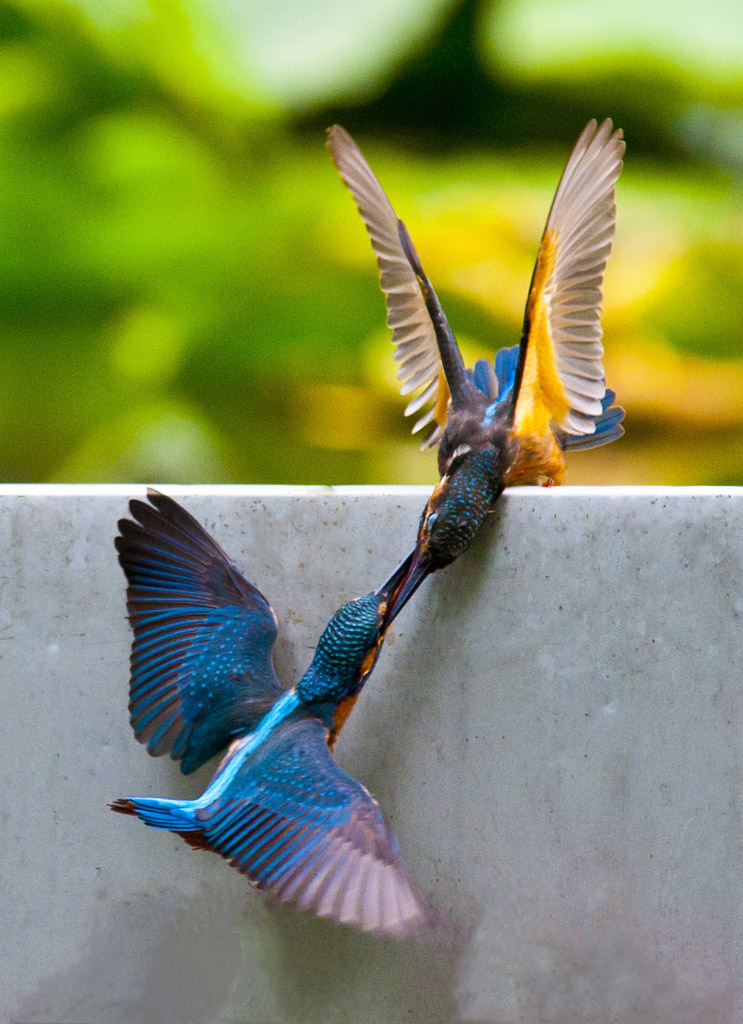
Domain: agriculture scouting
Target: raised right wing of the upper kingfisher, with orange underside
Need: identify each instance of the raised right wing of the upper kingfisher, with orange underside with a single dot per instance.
(560, 374)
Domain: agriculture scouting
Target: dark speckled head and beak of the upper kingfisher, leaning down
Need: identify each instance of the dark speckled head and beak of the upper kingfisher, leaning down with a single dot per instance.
(453, 517)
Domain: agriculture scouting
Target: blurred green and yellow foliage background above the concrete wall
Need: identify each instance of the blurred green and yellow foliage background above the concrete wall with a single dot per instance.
(187, 293)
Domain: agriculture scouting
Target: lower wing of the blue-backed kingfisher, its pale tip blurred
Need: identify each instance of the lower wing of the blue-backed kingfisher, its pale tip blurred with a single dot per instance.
(309, 833)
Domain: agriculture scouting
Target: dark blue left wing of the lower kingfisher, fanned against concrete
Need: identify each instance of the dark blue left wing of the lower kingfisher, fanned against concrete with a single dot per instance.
(201, 662)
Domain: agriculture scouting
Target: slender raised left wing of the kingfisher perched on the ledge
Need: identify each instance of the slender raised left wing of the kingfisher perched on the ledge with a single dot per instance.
(414, 334)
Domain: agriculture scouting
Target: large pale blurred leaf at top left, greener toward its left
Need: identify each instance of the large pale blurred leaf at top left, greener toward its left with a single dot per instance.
(282, 53)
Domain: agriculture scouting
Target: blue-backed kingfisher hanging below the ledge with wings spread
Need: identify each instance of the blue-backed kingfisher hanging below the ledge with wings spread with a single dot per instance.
(279, 808)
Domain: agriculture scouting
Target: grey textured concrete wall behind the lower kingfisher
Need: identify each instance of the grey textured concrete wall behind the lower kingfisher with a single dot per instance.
(554, 730)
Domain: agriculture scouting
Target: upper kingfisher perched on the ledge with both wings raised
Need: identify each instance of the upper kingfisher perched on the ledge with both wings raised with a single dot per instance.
(508, 423)
